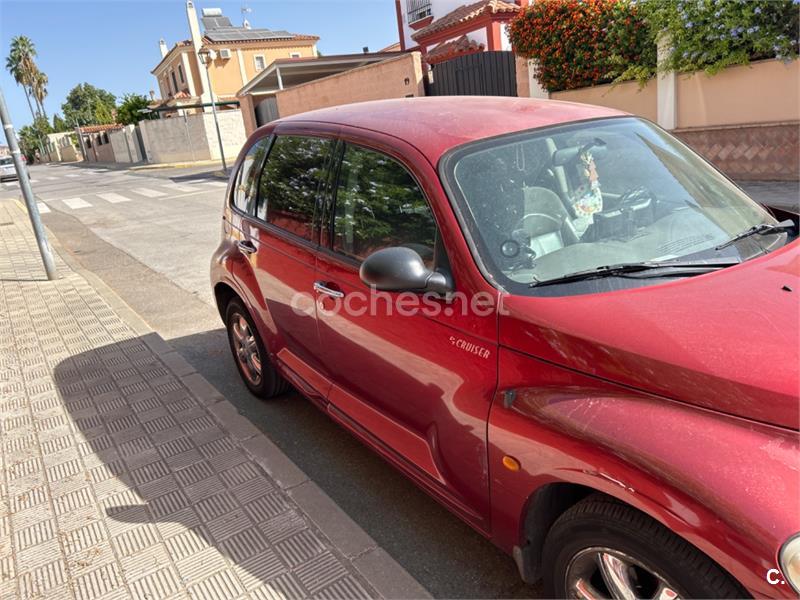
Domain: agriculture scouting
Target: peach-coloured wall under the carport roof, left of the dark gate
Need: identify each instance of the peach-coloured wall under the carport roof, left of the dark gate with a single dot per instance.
(393, 78)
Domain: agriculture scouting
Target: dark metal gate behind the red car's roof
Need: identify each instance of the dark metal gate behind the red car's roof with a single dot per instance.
(480, 74)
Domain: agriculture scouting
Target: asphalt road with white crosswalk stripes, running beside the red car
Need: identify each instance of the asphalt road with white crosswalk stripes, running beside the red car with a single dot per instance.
(149, 235)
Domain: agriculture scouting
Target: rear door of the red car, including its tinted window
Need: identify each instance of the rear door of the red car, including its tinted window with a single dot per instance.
(282, 239)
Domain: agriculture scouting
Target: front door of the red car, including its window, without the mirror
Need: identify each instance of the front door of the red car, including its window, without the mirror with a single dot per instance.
(416, 383)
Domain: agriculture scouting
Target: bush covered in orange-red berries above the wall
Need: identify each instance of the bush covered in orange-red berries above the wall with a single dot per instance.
(577, 43)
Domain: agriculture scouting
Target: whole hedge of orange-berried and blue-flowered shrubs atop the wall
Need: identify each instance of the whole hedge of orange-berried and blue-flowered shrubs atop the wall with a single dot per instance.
(578, 43)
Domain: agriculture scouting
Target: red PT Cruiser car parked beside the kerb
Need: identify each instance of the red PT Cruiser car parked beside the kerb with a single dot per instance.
(555, 318)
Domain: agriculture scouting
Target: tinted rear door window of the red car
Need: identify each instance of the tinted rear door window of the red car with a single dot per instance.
(290, 181)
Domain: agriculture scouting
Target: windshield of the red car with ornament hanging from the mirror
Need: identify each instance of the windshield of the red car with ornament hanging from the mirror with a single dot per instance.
(546, 203)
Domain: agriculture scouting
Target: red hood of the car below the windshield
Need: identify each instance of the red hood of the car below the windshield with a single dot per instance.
(726, 341)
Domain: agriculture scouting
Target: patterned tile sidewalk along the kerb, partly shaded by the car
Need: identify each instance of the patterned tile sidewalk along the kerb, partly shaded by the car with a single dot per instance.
(125, 474)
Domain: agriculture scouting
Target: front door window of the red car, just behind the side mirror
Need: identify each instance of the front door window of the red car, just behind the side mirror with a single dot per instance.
(378, 204)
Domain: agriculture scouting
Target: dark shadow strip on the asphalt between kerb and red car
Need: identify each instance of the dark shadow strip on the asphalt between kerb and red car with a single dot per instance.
(444, 554)
